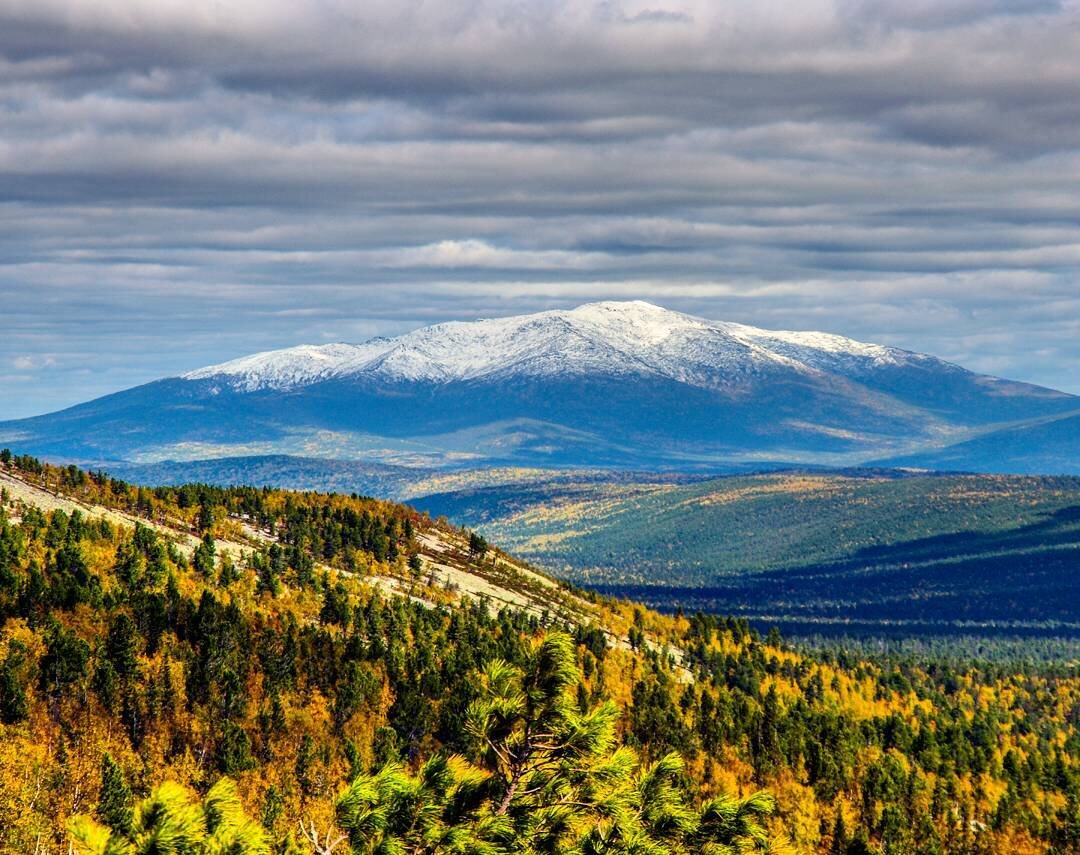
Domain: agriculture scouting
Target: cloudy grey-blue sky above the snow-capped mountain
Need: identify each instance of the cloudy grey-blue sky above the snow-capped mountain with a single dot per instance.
(184, 182)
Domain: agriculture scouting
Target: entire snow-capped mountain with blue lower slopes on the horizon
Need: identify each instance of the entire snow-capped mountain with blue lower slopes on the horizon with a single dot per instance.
(609, 384)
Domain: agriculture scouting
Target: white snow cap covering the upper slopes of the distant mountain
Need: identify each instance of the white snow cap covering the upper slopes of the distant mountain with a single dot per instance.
(609, 337)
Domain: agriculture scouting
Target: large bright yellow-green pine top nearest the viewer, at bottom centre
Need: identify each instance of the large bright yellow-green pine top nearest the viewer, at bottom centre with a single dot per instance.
(543, 777)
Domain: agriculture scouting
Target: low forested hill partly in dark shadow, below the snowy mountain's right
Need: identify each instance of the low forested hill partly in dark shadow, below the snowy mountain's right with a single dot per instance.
(874, 552)
